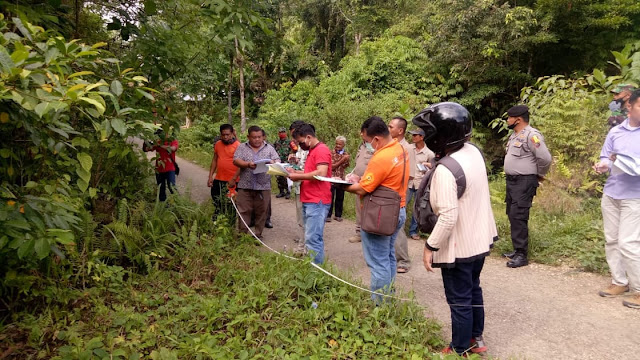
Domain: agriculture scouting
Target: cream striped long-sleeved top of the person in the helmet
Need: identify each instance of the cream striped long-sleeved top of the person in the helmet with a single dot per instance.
(466, 228)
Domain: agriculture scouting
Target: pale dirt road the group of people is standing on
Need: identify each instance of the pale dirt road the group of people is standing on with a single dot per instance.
(535, 312)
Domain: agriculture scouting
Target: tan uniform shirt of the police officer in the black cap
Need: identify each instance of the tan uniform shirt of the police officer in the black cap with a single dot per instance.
(527, 154)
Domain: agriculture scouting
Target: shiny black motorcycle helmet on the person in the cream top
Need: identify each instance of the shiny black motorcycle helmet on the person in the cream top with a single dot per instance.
(447, 126)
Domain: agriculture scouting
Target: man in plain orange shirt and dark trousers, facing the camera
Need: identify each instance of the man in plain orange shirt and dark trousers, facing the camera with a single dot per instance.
(224, 170)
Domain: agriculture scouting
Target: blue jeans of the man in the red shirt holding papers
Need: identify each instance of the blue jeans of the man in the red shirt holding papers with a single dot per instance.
(313, 216)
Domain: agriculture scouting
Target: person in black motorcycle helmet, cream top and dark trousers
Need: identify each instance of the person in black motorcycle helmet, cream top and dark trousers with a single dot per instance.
(465, 230)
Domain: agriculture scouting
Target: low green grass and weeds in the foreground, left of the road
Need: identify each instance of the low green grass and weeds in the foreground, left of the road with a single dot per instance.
(220, 298)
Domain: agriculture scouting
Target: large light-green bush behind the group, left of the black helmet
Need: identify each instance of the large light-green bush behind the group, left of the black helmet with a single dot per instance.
(391, 75)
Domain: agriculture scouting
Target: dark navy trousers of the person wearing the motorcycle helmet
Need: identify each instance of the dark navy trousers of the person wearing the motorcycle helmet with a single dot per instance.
(462, 290)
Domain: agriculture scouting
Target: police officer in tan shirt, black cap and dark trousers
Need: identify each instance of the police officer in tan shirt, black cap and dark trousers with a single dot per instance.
(526, 163)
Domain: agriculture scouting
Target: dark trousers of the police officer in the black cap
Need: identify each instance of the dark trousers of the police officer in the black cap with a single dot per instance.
(520, 192)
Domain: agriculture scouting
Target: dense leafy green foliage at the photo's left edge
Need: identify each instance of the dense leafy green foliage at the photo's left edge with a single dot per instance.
(66, 115)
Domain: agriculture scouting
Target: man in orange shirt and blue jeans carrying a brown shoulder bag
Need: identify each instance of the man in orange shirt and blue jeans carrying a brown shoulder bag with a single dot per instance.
(387, 167)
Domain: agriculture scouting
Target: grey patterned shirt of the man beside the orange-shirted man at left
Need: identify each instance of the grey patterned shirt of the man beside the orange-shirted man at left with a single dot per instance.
(249, 180)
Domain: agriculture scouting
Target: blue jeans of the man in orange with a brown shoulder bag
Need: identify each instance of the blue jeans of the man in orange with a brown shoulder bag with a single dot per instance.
(380, 255)
